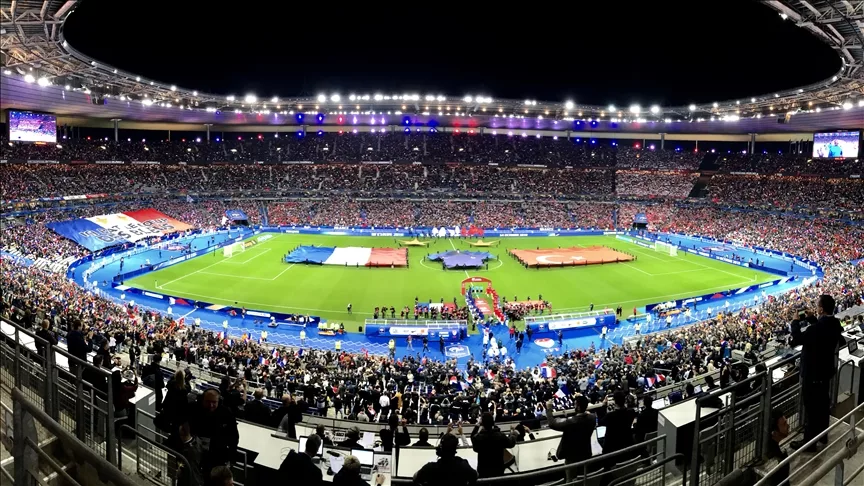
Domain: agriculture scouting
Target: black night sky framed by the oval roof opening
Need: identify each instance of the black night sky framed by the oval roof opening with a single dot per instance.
(665, 52)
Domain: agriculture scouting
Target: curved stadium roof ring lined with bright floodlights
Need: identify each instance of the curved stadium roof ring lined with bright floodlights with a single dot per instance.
(32, 49)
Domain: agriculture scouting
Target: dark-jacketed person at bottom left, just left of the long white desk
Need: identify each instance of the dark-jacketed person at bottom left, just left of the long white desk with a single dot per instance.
(216, 426)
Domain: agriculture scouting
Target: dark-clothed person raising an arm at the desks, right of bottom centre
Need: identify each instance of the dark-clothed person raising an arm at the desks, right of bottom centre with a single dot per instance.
(577, 431)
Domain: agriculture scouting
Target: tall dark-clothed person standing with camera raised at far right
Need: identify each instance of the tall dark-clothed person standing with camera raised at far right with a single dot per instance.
(820, 337)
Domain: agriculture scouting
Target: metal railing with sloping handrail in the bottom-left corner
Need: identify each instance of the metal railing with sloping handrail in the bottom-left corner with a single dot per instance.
(29, 456)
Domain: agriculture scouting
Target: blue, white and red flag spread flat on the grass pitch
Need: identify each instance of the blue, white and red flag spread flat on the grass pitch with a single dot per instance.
(351, 256)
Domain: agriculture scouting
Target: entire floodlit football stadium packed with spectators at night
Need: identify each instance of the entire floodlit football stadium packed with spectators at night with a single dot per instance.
(352, 287)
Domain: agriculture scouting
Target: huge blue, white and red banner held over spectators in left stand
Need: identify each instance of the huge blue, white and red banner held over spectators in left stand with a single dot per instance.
(107, 230)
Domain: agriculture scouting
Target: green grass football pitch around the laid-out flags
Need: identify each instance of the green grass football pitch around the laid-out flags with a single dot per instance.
(258, 278)
